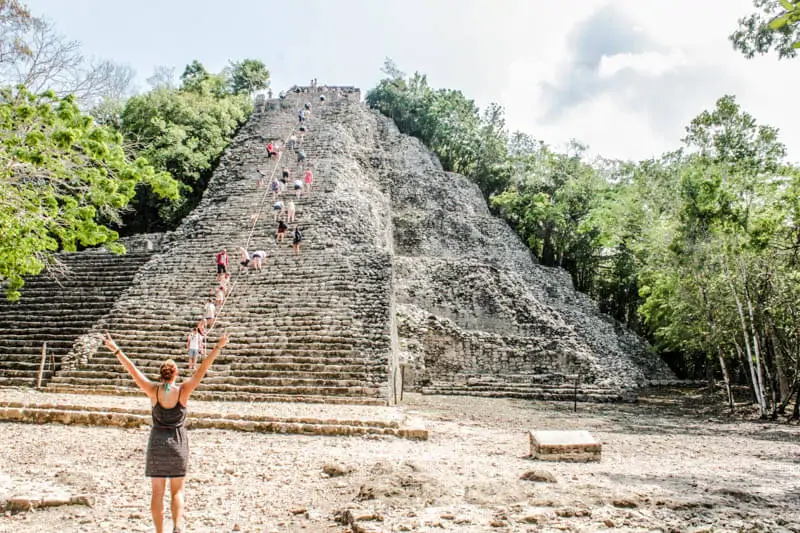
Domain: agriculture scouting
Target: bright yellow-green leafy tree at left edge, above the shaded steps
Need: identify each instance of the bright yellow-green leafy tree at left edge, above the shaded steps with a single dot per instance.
(64, 179)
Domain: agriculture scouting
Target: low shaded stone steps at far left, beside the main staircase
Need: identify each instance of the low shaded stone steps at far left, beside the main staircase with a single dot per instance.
(57, 310)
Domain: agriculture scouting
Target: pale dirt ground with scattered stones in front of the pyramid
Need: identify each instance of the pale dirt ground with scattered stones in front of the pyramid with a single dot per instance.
(669, 464)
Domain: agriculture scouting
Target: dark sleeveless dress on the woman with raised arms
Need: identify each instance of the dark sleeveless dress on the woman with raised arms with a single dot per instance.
(168, 447)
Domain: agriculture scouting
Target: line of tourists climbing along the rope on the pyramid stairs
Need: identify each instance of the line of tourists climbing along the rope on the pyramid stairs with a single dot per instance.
(283, 214)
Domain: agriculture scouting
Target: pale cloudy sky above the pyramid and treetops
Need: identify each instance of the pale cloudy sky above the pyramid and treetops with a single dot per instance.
(622, 76)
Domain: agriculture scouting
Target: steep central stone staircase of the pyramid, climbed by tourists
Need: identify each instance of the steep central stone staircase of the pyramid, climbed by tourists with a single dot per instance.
(308, 328)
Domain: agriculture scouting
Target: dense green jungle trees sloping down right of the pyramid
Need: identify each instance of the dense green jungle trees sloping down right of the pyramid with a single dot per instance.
(698, 250)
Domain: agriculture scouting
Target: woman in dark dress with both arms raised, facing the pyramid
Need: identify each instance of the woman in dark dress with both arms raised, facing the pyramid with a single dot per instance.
(167, 455)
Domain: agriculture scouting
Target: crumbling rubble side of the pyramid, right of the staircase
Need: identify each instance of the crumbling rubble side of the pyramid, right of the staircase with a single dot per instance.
(470, 298)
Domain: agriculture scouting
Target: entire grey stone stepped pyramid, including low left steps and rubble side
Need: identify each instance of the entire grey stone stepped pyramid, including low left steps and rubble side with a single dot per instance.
(405, 280)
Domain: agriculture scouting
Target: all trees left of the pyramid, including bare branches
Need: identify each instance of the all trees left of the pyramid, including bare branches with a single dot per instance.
(83, 160)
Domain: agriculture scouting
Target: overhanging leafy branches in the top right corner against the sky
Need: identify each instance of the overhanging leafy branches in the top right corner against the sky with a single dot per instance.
(773, 27)
